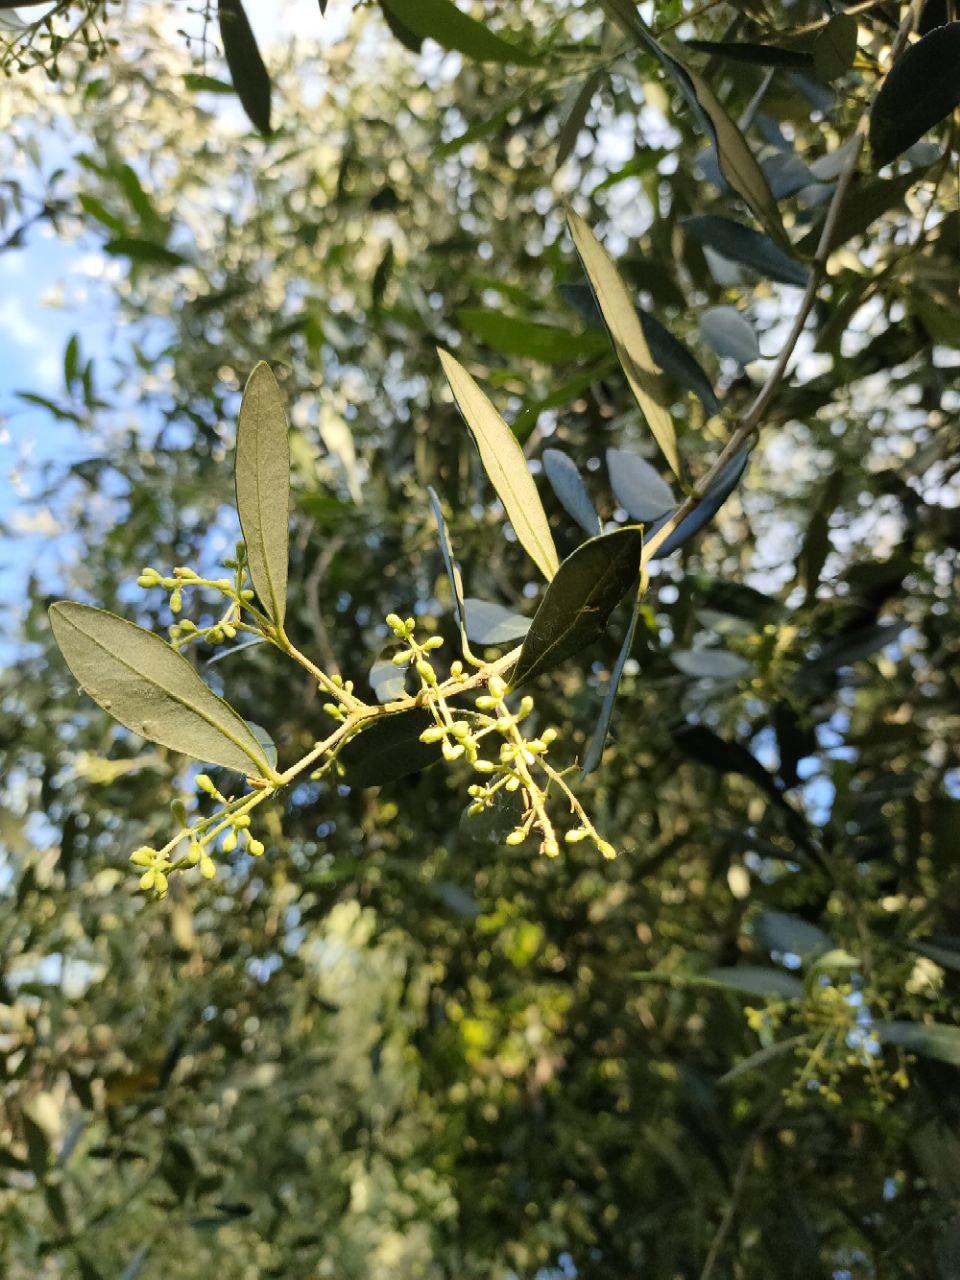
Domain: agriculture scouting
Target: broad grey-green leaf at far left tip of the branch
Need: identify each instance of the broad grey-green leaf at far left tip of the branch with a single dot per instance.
(152, 689)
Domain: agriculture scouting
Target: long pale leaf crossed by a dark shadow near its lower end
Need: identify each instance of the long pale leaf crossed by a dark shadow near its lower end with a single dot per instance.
(628, 336)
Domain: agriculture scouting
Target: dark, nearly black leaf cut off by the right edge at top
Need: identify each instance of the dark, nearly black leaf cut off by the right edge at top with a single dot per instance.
(921, 90)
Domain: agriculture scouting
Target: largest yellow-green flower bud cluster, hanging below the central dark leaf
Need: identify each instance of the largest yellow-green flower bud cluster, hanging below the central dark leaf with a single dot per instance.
(520, 766)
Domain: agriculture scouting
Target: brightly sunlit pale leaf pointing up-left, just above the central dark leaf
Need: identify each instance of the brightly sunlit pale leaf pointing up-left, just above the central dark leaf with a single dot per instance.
(505, 465)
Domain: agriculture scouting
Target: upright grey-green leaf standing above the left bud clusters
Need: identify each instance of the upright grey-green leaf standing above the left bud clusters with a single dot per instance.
(263, 474)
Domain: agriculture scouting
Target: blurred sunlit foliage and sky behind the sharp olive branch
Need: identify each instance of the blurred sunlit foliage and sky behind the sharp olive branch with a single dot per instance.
(395, 1046)
